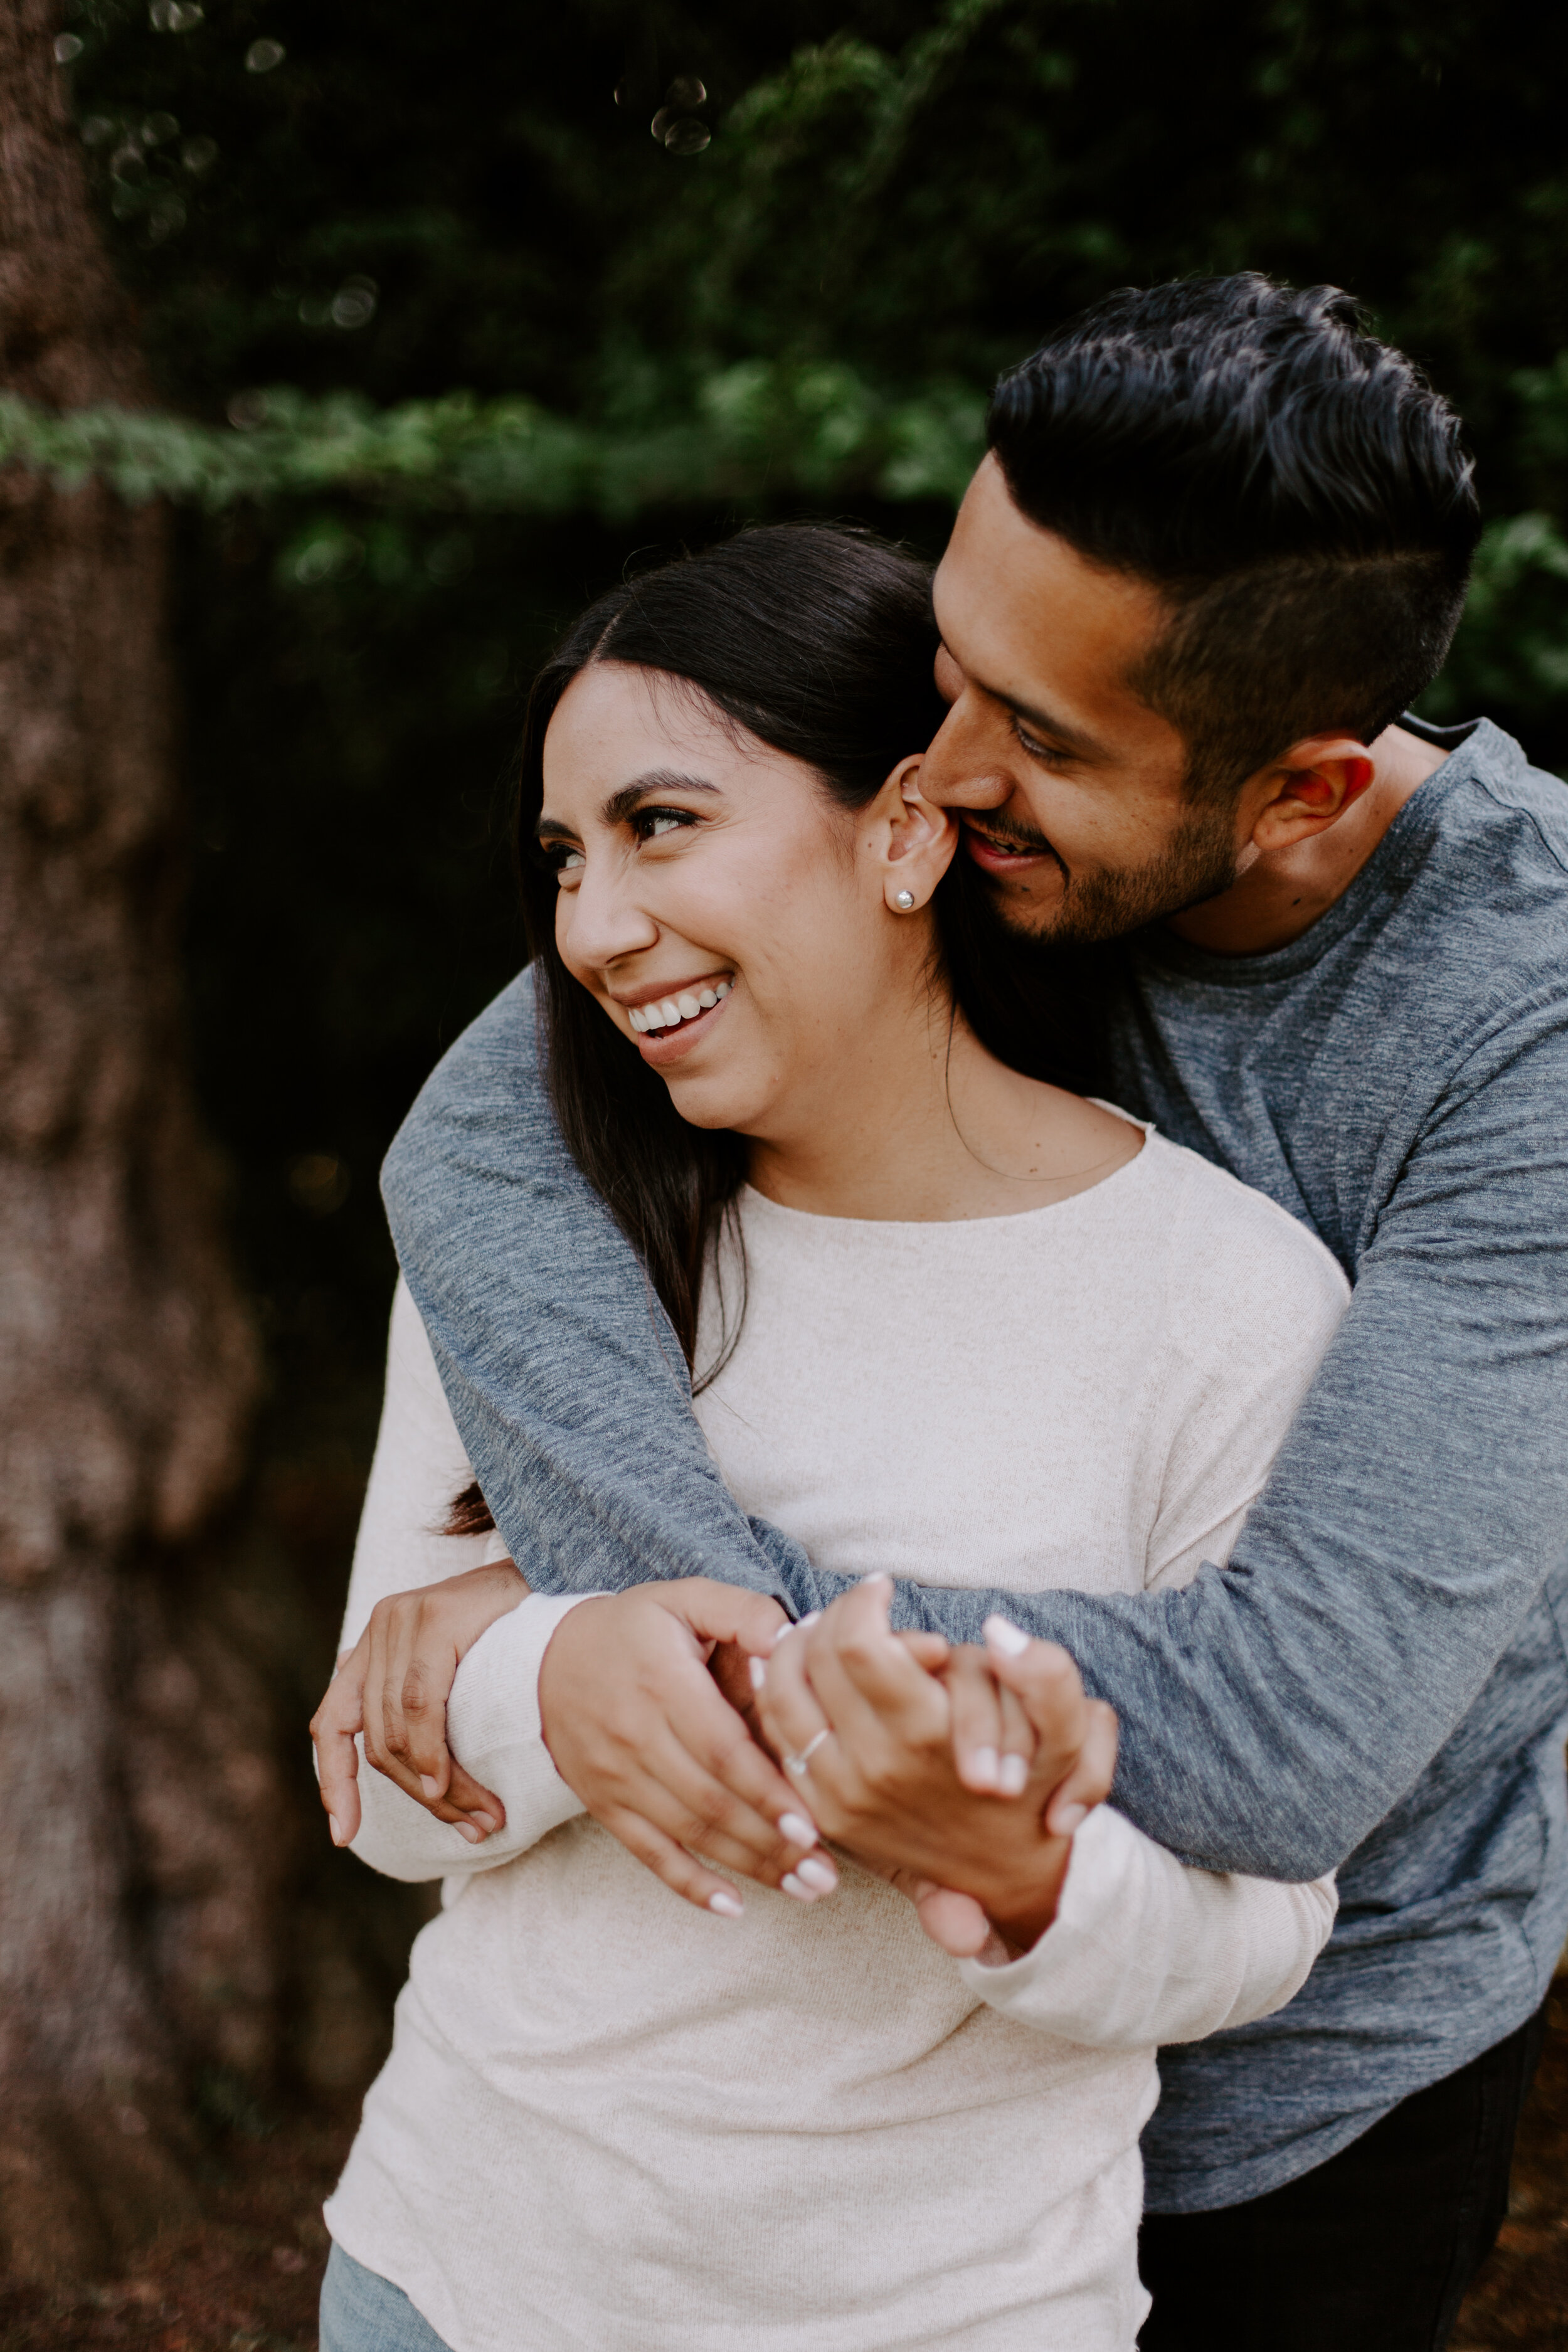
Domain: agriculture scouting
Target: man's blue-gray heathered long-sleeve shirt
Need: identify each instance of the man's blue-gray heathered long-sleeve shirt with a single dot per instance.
(1379, 1678)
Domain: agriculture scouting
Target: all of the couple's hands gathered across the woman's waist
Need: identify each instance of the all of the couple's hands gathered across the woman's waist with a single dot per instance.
(671, 1711)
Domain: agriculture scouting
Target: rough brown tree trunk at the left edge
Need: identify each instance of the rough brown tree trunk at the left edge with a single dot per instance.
(133, 1735)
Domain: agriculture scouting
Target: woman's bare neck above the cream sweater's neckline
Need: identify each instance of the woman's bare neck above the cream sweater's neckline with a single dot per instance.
(916, 1123)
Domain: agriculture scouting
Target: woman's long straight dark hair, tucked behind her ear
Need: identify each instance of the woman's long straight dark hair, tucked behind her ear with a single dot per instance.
(822, 643)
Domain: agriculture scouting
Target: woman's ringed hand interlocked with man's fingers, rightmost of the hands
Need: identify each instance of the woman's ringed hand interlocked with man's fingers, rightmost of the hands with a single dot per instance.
(869, 1735)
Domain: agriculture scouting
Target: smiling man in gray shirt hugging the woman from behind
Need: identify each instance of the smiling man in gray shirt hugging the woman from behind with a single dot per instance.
(1217, 547)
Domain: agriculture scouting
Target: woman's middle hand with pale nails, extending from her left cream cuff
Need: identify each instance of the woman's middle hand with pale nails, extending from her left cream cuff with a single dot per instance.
(641, 1732)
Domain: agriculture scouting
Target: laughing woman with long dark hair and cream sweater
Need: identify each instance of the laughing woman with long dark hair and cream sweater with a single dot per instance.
(793, 2120)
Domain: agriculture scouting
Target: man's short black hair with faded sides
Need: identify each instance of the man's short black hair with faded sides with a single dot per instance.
(1294, 488)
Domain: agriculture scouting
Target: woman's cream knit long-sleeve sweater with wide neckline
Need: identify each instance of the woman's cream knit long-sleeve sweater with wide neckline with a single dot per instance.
(617, 2123)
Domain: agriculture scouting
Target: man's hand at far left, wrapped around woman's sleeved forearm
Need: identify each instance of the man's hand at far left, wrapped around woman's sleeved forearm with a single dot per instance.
(394, 1688)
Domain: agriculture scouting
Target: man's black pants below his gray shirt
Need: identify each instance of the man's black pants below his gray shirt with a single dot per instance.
(1374, 2250)
